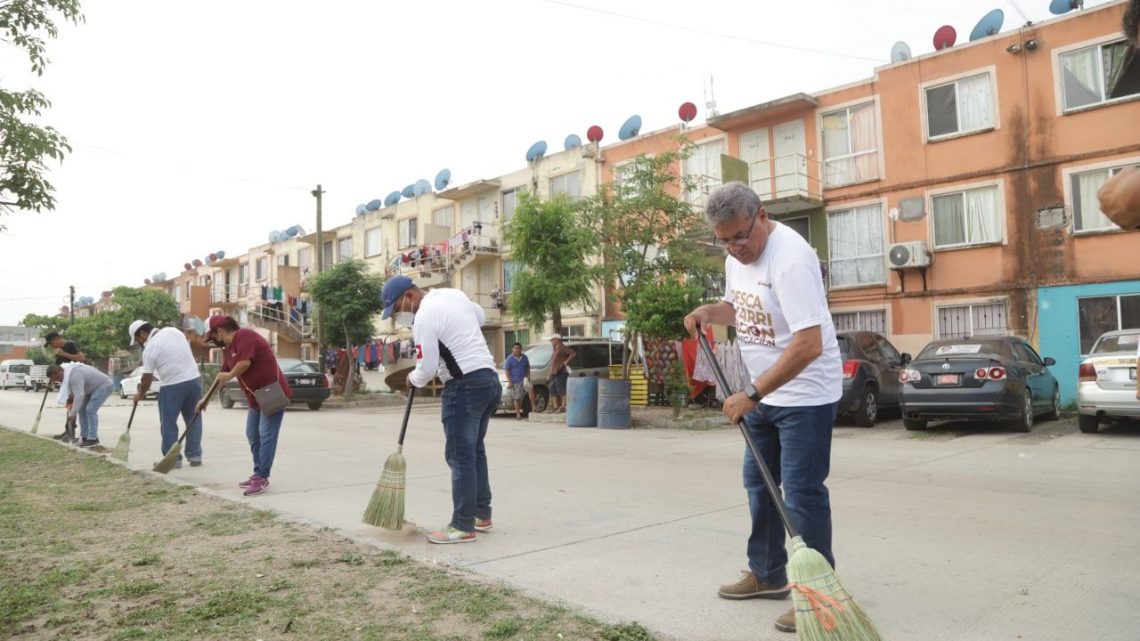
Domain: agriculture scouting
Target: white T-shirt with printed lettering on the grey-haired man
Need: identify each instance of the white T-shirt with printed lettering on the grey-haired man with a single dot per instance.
(777, 296)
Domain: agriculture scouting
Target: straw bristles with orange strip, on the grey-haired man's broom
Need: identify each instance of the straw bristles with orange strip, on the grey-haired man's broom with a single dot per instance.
(825, 610)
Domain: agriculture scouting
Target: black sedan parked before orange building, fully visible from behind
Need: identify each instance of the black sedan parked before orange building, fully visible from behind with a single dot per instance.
(979, 379)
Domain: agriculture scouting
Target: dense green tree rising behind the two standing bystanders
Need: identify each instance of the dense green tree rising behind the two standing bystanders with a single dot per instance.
(550, 244)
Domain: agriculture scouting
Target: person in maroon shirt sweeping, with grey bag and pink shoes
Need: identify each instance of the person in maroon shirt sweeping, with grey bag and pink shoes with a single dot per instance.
(249, 359)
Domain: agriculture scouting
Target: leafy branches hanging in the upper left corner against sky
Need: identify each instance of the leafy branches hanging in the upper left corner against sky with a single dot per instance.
(25, 145)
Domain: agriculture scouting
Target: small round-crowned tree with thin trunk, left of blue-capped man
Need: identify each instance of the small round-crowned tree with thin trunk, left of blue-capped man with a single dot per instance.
(349, 297)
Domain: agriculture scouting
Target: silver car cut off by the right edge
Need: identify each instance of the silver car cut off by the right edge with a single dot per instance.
(1108, 382)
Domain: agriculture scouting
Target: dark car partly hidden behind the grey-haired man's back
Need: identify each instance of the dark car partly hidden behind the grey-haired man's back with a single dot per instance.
(872, 368)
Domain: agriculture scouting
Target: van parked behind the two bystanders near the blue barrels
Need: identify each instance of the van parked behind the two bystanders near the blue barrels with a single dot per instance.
(593, 359)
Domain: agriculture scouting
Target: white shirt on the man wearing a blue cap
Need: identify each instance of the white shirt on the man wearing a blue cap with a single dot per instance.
(447, 318)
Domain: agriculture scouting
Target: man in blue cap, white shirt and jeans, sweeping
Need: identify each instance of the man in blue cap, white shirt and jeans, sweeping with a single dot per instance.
(446, 328)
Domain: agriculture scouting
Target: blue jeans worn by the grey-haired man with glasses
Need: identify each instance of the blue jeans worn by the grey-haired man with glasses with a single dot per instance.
(796, 445)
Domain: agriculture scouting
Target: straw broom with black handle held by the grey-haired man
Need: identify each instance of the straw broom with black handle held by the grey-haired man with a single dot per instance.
(825, 610)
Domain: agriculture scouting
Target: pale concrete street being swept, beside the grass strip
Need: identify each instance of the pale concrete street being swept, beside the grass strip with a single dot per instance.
(962, 534)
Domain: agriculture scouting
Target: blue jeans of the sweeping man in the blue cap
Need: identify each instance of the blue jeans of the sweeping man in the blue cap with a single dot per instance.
(468, 407)
